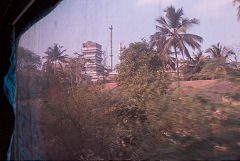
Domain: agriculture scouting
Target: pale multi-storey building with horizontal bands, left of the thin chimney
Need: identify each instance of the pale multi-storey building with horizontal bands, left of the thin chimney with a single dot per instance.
(93, 53)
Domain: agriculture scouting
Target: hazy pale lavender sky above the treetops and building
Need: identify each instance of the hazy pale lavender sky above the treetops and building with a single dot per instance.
(73, 22)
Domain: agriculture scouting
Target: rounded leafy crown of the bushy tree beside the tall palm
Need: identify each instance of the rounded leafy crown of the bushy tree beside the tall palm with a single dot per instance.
(139, 72)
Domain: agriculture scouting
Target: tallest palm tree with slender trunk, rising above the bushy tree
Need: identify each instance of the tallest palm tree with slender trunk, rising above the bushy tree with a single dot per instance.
(172, 35)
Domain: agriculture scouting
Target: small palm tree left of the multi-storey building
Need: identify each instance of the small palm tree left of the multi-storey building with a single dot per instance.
(55, 55)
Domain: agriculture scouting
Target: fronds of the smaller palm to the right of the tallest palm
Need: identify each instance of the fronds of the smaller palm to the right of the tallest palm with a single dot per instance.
(218, 51)
